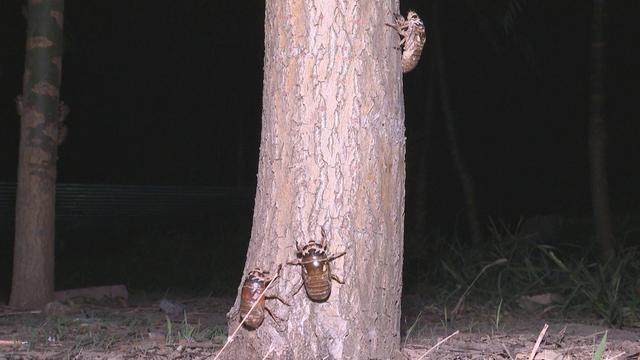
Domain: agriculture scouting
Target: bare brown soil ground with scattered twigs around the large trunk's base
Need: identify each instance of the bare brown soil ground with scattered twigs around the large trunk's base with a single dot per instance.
(141, 330)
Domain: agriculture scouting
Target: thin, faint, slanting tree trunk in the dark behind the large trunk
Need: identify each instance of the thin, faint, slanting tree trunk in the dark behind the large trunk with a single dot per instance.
(466, 180)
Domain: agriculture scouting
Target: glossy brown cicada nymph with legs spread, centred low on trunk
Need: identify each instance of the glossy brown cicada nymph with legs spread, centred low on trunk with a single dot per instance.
(316, 270)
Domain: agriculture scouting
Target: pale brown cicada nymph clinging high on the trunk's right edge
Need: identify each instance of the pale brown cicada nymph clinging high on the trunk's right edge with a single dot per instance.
(413, 36)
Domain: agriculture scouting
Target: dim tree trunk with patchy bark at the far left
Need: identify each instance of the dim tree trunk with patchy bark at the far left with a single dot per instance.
(40, 133)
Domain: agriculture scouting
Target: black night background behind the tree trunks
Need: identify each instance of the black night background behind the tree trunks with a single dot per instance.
(169, 93)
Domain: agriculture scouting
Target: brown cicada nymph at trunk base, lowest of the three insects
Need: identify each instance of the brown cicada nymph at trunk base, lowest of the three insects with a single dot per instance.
(254, 285)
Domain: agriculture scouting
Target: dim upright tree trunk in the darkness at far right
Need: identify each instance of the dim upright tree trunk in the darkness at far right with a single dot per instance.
(598, 134)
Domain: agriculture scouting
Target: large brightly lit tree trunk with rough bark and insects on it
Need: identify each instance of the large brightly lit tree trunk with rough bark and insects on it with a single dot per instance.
(331, 158)
